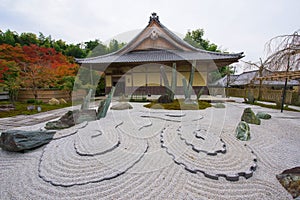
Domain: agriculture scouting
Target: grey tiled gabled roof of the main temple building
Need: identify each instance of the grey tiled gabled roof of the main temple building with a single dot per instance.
(156, 43)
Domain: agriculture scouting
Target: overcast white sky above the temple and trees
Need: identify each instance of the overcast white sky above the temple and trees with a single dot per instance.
(235, 25)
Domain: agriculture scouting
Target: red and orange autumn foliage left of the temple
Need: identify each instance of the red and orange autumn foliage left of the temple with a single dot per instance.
(37, 67)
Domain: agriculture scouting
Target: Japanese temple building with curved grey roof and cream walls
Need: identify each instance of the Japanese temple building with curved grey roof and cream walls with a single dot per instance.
(136, 67)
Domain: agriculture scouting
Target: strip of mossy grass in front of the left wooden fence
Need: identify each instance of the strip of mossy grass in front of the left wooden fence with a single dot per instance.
(21, 108)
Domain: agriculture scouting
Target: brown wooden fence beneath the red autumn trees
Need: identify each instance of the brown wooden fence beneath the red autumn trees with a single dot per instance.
(46, 94)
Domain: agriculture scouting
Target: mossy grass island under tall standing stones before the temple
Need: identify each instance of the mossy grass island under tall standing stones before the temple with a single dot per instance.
(178, 104)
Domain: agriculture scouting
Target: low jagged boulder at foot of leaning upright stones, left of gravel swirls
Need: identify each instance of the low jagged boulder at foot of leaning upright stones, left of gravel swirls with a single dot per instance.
(71, 118)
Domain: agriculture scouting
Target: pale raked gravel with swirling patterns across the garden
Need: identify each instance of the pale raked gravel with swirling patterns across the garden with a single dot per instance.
(157, 154)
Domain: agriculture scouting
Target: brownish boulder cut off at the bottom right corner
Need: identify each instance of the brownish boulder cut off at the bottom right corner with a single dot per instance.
(290, 180)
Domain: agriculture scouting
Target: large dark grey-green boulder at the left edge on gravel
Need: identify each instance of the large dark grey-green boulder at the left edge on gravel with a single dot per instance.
(19, 140)
